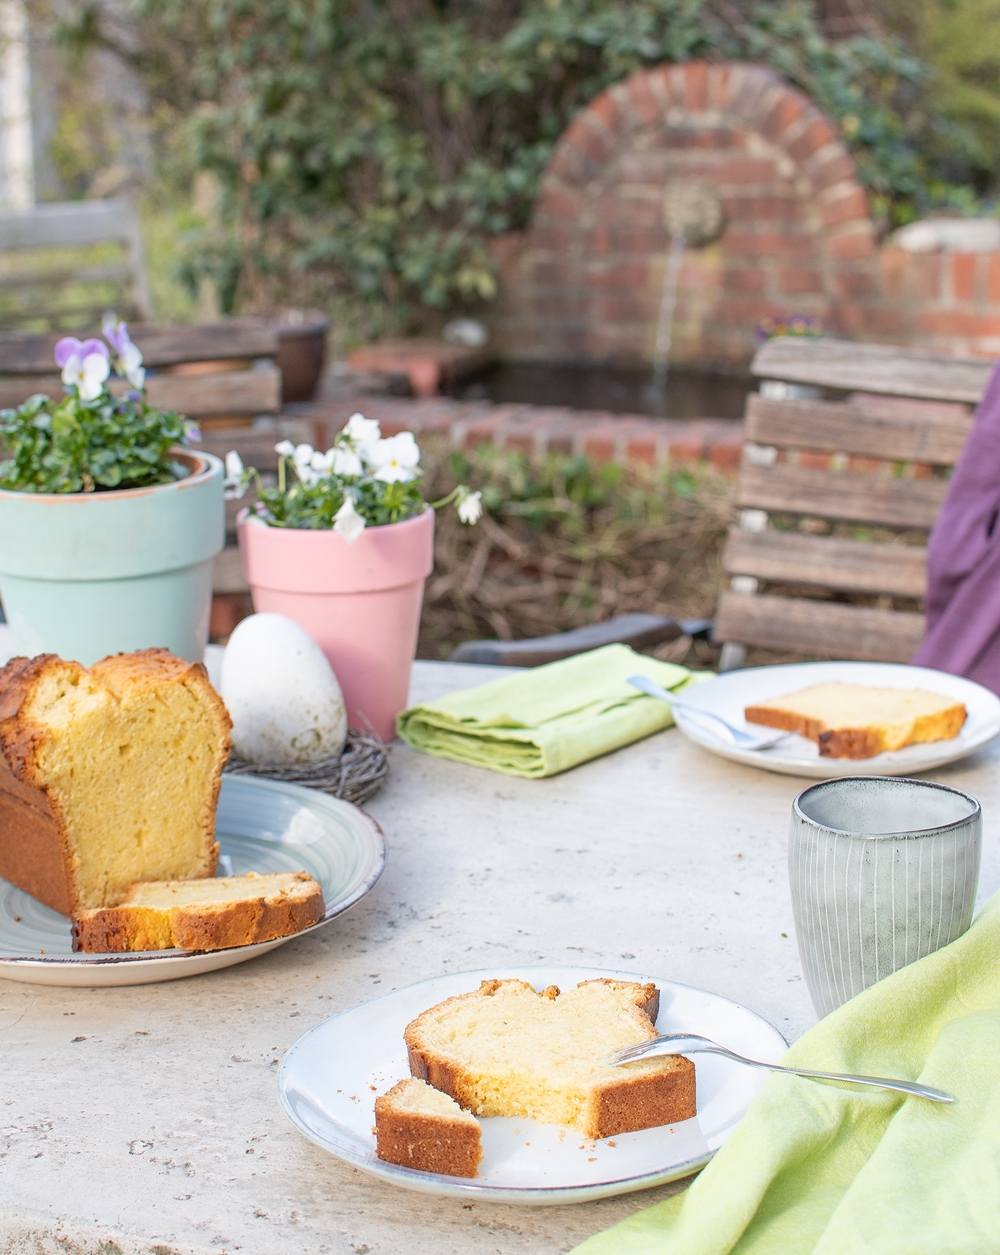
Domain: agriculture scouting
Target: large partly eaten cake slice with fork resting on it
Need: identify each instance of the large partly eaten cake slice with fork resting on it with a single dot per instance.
(509, 1051)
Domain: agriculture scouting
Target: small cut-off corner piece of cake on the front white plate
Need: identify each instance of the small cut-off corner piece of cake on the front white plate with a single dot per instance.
(421, 1128)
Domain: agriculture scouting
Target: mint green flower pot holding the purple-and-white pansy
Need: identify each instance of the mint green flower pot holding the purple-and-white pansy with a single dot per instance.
(86, 575)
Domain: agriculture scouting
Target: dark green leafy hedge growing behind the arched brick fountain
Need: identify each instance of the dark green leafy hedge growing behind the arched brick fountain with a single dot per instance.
(377, 146)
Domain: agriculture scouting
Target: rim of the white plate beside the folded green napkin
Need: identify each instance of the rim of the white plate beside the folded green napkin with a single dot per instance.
(827, 769)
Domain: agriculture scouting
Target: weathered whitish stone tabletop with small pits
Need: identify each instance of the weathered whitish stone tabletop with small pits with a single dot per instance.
(146, 1120)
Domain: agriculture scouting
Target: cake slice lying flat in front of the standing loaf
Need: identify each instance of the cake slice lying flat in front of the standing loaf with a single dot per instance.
(211, 914)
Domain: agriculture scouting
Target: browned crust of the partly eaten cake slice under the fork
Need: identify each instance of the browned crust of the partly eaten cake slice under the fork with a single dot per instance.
(624, 1104)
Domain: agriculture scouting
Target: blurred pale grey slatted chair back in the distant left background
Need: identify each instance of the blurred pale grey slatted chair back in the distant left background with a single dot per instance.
(62, 265)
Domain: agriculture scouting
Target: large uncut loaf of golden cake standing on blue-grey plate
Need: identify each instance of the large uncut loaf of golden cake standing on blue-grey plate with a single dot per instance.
(109, 775)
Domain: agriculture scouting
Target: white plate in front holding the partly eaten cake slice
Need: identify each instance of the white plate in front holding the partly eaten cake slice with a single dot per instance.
(329, 1081)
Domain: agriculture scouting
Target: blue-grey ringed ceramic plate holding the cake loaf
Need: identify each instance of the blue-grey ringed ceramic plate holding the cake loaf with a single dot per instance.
(260, 826)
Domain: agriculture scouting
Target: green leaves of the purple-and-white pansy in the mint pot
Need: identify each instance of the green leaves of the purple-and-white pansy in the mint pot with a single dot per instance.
(76, 446)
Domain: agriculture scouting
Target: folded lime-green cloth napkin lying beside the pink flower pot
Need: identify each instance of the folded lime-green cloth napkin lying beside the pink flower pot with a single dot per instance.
(545, 720)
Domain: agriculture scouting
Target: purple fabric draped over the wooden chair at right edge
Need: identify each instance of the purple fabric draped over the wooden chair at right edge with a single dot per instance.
(963, 603)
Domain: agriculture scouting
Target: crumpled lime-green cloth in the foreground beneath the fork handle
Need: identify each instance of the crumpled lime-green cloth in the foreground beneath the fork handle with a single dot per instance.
(838, 1172)
